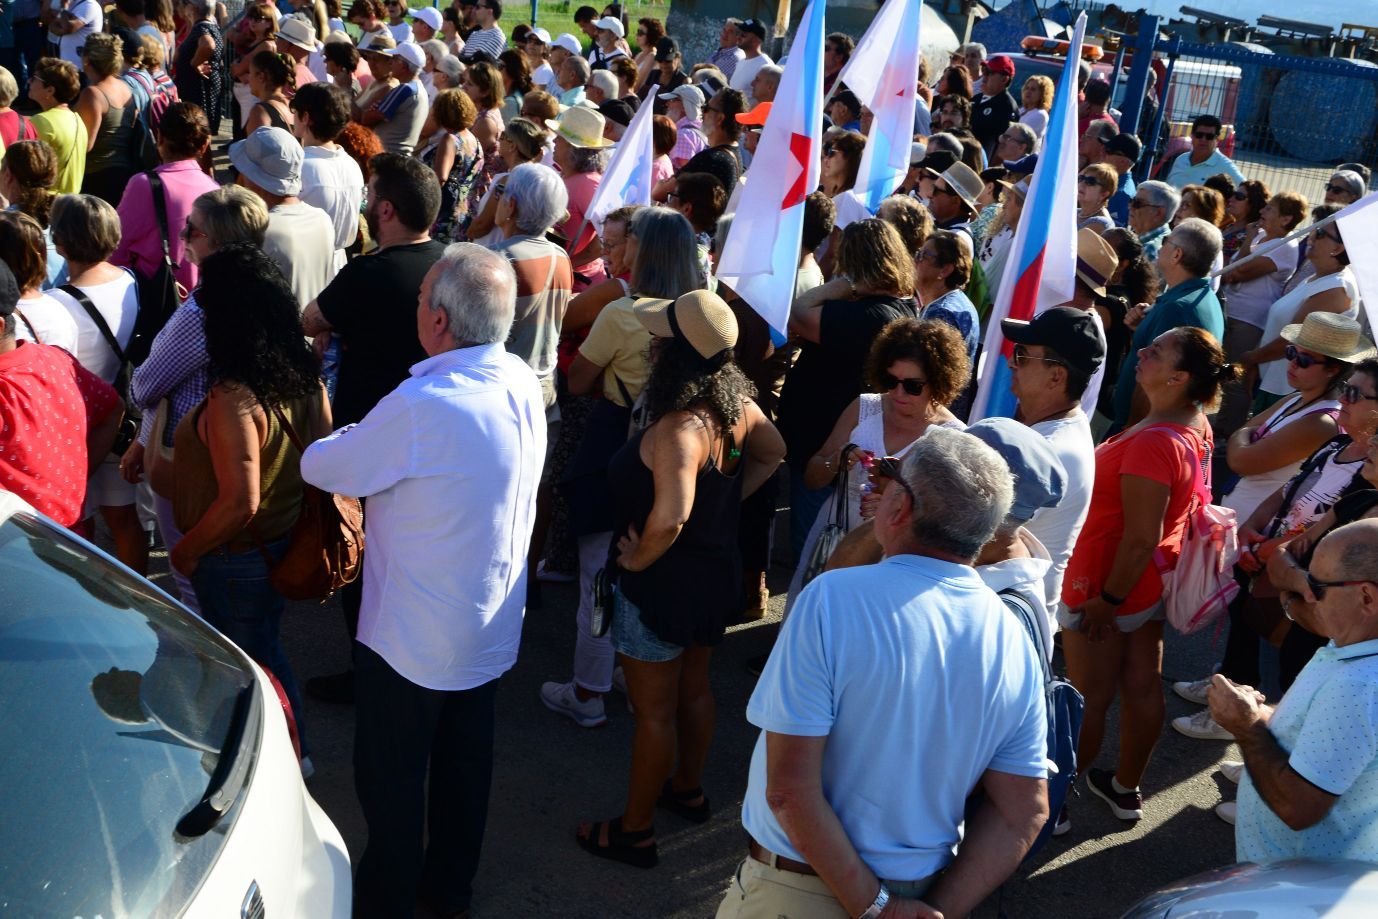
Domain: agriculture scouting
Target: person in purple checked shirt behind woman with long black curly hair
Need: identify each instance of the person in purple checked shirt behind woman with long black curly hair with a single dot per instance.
(177, 369)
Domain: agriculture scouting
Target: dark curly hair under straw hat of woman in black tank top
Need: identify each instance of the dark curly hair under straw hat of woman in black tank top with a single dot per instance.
(681, 378)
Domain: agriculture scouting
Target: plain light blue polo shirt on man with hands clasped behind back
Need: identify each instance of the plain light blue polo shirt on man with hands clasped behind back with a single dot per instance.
(921, 680)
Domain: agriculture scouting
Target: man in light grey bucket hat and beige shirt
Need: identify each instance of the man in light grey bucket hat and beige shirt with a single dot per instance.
(301, 239)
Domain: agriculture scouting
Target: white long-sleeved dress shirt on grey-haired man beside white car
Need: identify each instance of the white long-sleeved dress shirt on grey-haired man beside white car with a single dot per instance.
(450, 464)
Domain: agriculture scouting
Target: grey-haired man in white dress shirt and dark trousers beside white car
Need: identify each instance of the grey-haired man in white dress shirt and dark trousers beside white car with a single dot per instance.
(450, 464)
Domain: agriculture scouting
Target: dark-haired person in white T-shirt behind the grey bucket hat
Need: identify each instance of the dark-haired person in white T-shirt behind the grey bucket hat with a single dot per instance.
(331, 180)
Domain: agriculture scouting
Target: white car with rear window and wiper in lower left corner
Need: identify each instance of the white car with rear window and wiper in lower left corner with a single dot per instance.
(148, 770)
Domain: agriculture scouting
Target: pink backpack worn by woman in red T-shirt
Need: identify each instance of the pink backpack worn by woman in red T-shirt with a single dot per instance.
(1200, 589)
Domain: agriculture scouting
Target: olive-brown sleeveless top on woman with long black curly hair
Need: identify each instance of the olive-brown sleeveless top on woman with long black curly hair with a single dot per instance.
(280, 475)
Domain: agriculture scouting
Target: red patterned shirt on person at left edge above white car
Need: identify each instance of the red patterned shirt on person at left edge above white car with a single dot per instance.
(48, 406)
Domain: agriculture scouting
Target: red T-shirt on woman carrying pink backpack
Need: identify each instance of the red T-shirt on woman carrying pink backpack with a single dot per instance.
(1153, 454)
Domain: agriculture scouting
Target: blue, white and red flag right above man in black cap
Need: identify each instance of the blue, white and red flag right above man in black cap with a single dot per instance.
(1041, 272)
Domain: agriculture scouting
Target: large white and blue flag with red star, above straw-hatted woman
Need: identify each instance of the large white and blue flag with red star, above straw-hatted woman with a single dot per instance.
(763, 250)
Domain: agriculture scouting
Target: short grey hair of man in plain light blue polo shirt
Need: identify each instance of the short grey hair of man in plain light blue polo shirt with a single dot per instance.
(963, 488)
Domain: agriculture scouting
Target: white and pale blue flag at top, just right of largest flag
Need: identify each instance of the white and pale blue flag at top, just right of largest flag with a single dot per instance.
(883, 74)
